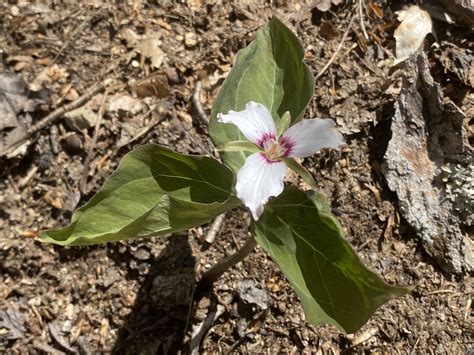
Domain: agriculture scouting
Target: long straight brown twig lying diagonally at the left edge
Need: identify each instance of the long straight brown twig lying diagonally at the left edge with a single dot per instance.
(54, 116)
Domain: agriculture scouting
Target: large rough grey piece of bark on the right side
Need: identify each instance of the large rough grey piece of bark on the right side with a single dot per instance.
(428, 139)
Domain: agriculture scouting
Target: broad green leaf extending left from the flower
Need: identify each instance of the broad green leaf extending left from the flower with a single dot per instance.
(153, 191)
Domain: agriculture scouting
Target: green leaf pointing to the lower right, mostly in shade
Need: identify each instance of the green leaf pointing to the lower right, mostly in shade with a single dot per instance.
(307, 242)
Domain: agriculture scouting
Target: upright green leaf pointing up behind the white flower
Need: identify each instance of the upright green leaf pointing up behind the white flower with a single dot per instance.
(270, 71)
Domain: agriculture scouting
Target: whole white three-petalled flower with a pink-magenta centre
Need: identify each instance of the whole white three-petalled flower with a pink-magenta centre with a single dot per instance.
(262, 174)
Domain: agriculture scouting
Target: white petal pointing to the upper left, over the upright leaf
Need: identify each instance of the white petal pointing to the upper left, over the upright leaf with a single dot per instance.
(255, 122)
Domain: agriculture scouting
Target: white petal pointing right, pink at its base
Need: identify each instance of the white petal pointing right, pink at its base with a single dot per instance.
(308, 136)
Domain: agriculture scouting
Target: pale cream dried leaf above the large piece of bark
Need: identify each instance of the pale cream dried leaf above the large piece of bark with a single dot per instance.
(410, 34)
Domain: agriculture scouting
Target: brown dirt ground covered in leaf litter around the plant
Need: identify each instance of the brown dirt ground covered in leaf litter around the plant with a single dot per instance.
(137, 296)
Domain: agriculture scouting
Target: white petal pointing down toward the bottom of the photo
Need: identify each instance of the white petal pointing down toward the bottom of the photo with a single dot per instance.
(257, 180)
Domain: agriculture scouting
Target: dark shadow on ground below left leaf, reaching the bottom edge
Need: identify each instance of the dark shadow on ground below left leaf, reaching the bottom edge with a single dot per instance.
(158, 319)
